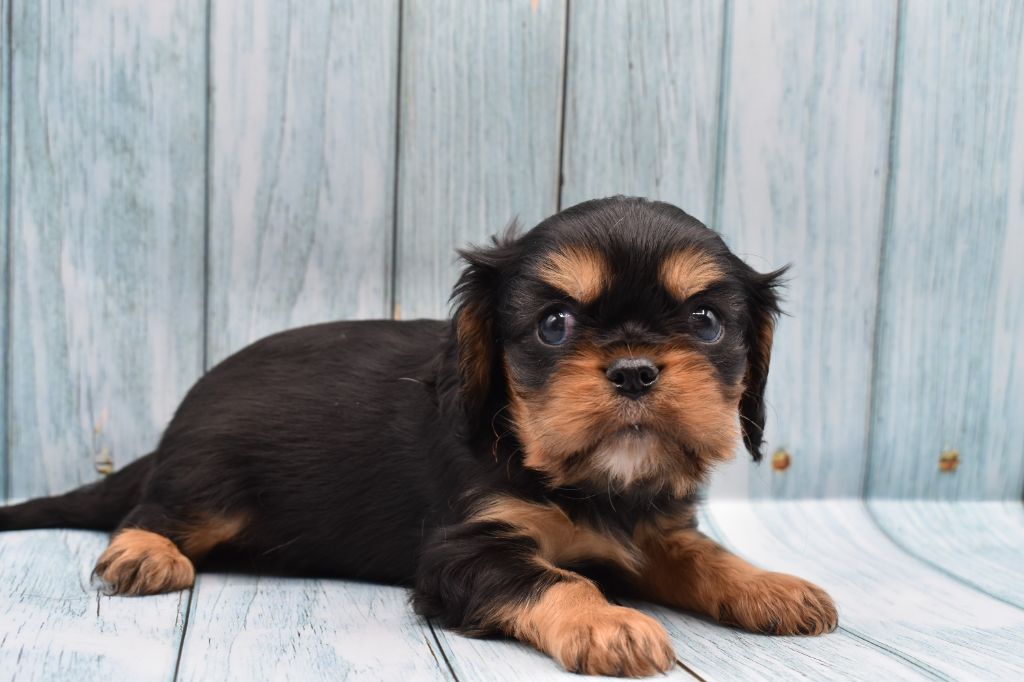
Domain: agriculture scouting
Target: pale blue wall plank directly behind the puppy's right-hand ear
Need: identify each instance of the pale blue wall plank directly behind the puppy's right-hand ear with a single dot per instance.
(806, 150)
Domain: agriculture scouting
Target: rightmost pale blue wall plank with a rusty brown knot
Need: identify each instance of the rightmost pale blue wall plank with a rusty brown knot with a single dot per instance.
(951, 365)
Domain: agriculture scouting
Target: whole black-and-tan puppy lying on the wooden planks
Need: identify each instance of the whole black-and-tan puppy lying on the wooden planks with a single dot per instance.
(545, 445)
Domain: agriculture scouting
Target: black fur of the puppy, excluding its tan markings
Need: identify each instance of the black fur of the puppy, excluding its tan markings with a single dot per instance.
(360, 449)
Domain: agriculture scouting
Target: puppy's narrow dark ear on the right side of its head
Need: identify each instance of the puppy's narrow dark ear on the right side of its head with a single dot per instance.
(763, 303)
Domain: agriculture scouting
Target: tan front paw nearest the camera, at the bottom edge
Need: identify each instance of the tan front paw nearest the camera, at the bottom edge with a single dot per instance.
(613, 641)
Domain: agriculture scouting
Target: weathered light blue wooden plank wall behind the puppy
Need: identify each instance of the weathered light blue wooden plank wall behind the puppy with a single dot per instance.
(187, 179)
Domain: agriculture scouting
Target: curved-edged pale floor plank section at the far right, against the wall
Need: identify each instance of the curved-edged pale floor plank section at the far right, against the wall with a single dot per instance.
(980, 543)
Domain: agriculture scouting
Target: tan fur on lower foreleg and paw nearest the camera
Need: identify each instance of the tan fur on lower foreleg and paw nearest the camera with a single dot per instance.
(577, 626)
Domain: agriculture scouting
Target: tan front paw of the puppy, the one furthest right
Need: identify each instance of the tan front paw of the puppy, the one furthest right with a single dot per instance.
(780, 605)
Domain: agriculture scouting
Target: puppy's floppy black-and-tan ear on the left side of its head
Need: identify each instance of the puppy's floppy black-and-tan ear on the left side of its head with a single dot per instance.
(476, 323)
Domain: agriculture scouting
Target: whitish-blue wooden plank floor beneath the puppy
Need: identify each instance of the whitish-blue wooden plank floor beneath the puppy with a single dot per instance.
(925, 591)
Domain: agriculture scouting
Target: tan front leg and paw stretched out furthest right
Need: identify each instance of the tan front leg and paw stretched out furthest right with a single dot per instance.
(688, 570)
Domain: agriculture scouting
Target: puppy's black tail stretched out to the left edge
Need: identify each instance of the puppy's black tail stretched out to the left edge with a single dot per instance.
(100, 506)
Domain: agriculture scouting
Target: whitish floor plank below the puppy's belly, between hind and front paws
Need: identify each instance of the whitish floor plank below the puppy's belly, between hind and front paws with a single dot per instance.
(248, 628)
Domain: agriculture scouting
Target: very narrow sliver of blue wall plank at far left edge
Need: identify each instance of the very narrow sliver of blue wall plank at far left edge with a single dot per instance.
(6, 54)
